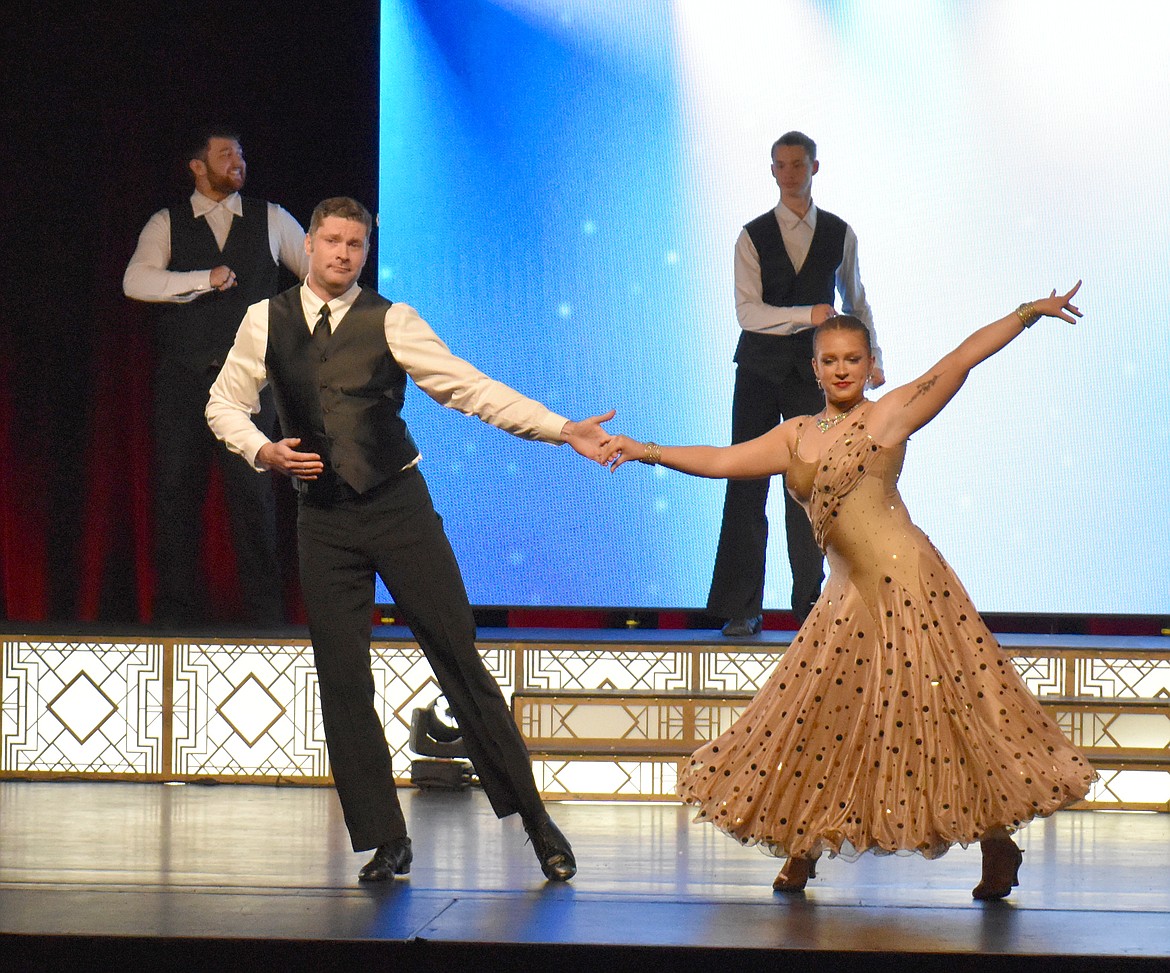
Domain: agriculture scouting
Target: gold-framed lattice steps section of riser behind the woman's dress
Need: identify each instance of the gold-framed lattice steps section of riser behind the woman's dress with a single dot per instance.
(627, 719)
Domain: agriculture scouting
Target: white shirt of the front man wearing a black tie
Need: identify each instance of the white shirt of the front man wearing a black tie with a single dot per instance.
(422, 354)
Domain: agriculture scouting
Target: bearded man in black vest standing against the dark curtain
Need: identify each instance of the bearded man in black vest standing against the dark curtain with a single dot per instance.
(204, 261)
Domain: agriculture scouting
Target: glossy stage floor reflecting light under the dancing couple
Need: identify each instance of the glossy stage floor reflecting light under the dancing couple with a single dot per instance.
(235, 862)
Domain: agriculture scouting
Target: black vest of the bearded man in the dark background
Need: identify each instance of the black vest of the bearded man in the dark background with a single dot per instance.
(199, 335)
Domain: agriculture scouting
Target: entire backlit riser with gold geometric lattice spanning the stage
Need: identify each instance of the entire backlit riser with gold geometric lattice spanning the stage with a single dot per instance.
(604, 719)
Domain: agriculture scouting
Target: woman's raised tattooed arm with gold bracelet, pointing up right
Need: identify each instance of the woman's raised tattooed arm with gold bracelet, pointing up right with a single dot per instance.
(904, 411)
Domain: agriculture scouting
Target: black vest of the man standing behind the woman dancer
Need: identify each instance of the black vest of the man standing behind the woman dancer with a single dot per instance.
(784, 288)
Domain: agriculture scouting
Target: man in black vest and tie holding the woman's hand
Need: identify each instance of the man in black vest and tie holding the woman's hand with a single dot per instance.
(338, 357)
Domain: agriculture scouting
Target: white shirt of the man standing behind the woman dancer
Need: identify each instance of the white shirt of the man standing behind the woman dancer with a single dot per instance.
(755, 315)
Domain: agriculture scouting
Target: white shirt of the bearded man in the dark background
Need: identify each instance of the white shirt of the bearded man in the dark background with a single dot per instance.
(147, 278)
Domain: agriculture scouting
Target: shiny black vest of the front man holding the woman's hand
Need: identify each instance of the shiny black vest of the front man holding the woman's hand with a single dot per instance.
(345, 403)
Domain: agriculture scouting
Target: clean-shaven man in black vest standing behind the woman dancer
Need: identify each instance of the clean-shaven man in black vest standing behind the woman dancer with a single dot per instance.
(788, 265)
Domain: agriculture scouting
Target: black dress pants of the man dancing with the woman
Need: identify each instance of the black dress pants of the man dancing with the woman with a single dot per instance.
(395, 532)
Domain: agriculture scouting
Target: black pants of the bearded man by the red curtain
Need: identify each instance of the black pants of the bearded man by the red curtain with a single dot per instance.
(184, 453)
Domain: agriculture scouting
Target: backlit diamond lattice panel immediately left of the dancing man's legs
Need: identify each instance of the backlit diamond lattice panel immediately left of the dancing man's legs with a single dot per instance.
(246, 710)
